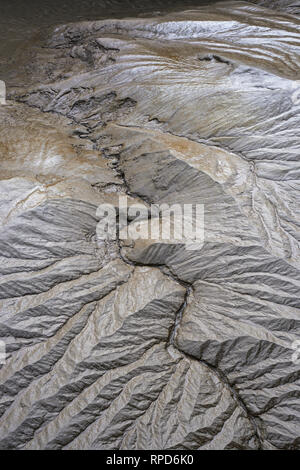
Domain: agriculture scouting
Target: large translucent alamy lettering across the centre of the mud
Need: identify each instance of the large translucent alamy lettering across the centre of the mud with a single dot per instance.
(176, 223)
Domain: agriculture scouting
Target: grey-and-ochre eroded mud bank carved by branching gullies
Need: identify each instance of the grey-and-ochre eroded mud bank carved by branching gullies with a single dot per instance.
(144, 344)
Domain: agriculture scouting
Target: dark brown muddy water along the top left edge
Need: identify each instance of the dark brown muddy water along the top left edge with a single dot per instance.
(19, 19)
